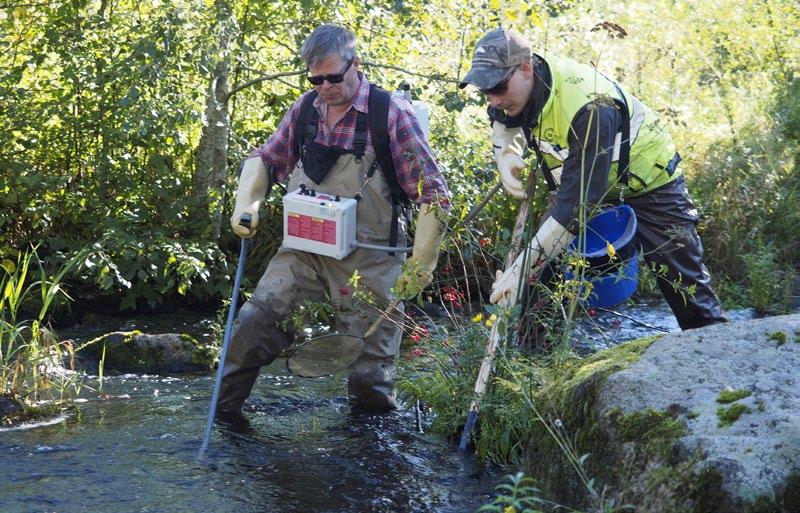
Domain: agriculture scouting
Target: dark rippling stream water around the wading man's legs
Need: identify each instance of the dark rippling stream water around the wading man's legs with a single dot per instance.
(136, 450)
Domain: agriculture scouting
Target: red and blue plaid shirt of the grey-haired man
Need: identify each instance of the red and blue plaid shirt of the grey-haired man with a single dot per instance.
(410, 151)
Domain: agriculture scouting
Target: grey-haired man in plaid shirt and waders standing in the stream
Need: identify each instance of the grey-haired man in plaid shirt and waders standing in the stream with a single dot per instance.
(323, 143)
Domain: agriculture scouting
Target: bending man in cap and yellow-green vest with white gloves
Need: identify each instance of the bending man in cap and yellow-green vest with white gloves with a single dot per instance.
(595, 143)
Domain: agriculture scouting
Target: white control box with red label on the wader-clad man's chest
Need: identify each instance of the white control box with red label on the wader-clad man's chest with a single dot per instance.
(319, 223)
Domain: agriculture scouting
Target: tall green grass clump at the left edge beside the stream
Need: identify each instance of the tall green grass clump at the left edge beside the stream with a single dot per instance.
(30, 352)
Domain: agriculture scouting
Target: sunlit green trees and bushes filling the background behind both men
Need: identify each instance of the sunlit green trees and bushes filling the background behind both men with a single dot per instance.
(105, 107)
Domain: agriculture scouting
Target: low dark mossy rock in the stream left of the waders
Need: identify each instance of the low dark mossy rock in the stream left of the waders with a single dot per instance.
(136, 352)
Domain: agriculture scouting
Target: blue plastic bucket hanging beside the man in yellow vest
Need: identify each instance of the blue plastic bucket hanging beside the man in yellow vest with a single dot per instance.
(613, 279)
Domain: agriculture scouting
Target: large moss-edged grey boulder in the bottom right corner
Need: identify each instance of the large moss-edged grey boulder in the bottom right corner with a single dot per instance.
(700, 421)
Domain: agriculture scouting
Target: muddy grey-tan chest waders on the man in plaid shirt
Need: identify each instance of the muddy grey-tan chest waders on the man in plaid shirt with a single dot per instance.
(263, 328)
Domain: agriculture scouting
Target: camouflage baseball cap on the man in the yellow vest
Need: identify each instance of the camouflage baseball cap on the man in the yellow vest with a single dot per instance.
(495, 53)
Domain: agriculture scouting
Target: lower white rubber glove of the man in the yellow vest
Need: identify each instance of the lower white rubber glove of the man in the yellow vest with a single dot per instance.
(551, 239)
